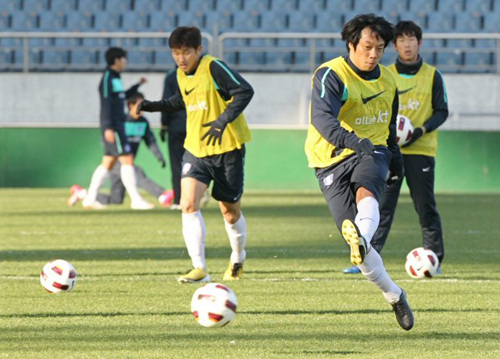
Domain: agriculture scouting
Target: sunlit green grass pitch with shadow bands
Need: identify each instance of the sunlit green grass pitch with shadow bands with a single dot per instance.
(294, 301)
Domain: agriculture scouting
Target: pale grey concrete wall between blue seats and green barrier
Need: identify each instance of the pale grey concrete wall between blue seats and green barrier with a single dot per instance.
(282, 100)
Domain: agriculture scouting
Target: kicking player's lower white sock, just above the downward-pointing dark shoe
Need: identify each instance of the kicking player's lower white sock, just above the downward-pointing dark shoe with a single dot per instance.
(373, 269)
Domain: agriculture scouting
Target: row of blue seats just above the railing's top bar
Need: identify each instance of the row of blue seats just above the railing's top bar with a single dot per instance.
(216, 22)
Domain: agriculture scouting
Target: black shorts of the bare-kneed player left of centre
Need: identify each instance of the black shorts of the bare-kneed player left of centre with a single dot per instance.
(226, 170)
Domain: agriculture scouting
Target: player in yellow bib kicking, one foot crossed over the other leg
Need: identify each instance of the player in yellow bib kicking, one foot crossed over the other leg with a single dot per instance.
(351, 144)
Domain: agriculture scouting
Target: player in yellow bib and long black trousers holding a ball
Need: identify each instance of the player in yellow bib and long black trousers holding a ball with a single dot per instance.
(422, 98)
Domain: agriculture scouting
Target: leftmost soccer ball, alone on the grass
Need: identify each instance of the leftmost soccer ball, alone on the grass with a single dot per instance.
(58, 276)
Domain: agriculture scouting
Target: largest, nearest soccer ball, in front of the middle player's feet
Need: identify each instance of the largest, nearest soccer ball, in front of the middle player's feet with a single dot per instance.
(214, 305)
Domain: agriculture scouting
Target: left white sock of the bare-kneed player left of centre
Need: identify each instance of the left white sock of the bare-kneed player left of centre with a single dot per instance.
(194, 230)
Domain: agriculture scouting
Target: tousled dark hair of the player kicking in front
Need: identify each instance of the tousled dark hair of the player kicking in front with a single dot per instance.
(351, 32)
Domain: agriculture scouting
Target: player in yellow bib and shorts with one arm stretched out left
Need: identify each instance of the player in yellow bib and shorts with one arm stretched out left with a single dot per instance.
(214, 97)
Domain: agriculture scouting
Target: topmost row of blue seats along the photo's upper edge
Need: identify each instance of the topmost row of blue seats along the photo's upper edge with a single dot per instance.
(445, 6)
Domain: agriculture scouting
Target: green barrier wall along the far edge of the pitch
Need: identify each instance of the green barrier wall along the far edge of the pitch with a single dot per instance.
(58, 157)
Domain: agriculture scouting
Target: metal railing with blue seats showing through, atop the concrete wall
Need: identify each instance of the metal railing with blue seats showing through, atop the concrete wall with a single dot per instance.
(250, 52)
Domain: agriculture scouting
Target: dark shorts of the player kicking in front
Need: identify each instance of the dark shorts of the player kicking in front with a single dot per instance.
(340, 182)
